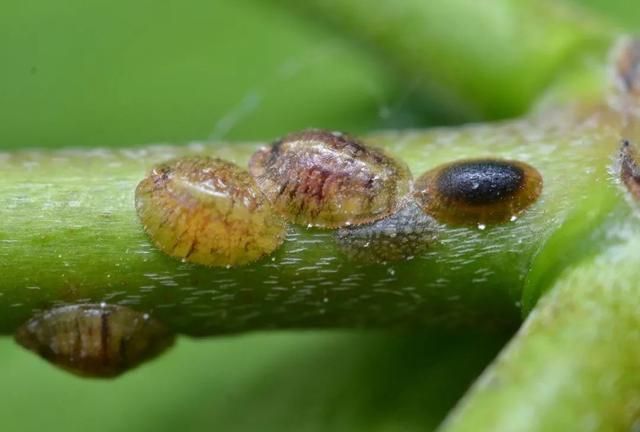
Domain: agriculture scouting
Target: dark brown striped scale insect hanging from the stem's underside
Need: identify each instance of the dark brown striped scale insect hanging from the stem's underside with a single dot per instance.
(95, 340)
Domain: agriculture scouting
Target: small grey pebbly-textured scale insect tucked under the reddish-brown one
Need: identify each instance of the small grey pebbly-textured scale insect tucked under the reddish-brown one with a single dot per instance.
(401, 236)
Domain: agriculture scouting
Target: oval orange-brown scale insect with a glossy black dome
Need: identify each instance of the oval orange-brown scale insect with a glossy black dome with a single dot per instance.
(479, 191)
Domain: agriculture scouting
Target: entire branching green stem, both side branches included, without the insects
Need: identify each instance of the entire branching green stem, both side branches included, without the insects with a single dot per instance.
(69, 231)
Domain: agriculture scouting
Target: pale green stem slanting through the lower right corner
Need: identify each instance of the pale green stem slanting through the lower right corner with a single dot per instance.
(575, 364)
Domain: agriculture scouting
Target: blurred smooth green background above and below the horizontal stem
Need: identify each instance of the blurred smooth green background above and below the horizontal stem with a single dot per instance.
(122, 73)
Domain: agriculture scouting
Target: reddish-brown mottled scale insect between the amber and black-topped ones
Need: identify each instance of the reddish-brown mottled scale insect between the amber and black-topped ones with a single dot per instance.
(329, 179)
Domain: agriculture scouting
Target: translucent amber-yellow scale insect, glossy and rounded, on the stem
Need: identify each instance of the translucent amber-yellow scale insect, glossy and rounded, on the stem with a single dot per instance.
(207, 211)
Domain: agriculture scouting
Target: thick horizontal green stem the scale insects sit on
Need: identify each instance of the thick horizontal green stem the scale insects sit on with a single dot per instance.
(70, 234)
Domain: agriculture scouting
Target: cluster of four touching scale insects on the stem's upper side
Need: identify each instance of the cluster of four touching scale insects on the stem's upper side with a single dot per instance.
(211, 212)
